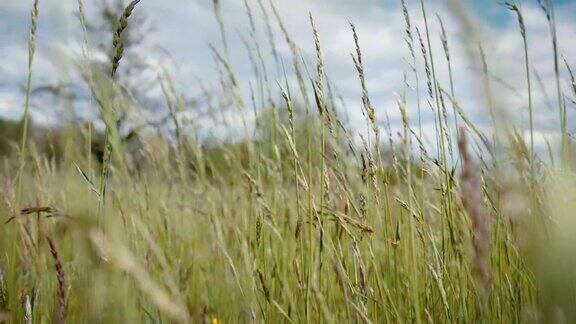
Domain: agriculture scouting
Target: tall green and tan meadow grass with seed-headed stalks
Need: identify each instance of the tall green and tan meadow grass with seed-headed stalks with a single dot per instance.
(302, 219)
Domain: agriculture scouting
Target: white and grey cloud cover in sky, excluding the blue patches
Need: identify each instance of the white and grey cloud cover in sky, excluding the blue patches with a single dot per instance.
(184, 28)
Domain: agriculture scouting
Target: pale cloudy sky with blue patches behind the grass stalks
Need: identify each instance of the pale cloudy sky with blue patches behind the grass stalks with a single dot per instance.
(183, 29)
